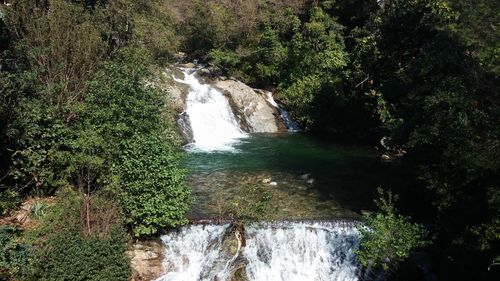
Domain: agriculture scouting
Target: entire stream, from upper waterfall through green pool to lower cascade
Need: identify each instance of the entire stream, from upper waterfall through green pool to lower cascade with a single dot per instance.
(303, 194)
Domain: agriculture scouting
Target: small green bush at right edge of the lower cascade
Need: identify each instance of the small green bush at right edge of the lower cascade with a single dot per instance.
(388, 238)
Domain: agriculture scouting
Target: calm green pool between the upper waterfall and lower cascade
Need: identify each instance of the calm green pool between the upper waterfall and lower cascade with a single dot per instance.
(306, 178)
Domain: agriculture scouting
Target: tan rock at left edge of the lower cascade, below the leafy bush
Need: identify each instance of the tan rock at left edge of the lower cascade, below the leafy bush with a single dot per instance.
(146, 259)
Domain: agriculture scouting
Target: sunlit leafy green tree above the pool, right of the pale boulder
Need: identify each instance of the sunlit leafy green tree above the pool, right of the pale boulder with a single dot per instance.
(313, 79)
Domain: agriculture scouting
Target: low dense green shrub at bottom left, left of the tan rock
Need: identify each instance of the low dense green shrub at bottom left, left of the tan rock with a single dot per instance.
(62, 250)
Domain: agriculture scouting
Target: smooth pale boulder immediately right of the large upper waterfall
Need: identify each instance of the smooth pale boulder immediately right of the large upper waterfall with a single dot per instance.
(254, 111)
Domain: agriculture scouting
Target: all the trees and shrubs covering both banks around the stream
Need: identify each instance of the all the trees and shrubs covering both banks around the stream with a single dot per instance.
(83, 122)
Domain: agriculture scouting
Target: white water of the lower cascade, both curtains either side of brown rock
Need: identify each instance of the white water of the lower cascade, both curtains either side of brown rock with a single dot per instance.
(285, 251)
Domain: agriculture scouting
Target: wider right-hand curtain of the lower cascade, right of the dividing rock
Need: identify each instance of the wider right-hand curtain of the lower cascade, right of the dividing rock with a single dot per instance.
(302, 251)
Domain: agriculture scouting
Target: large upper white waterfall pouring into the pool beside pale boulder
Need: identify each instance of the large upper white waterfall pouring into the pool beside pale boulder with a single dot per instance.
(212, 120)
